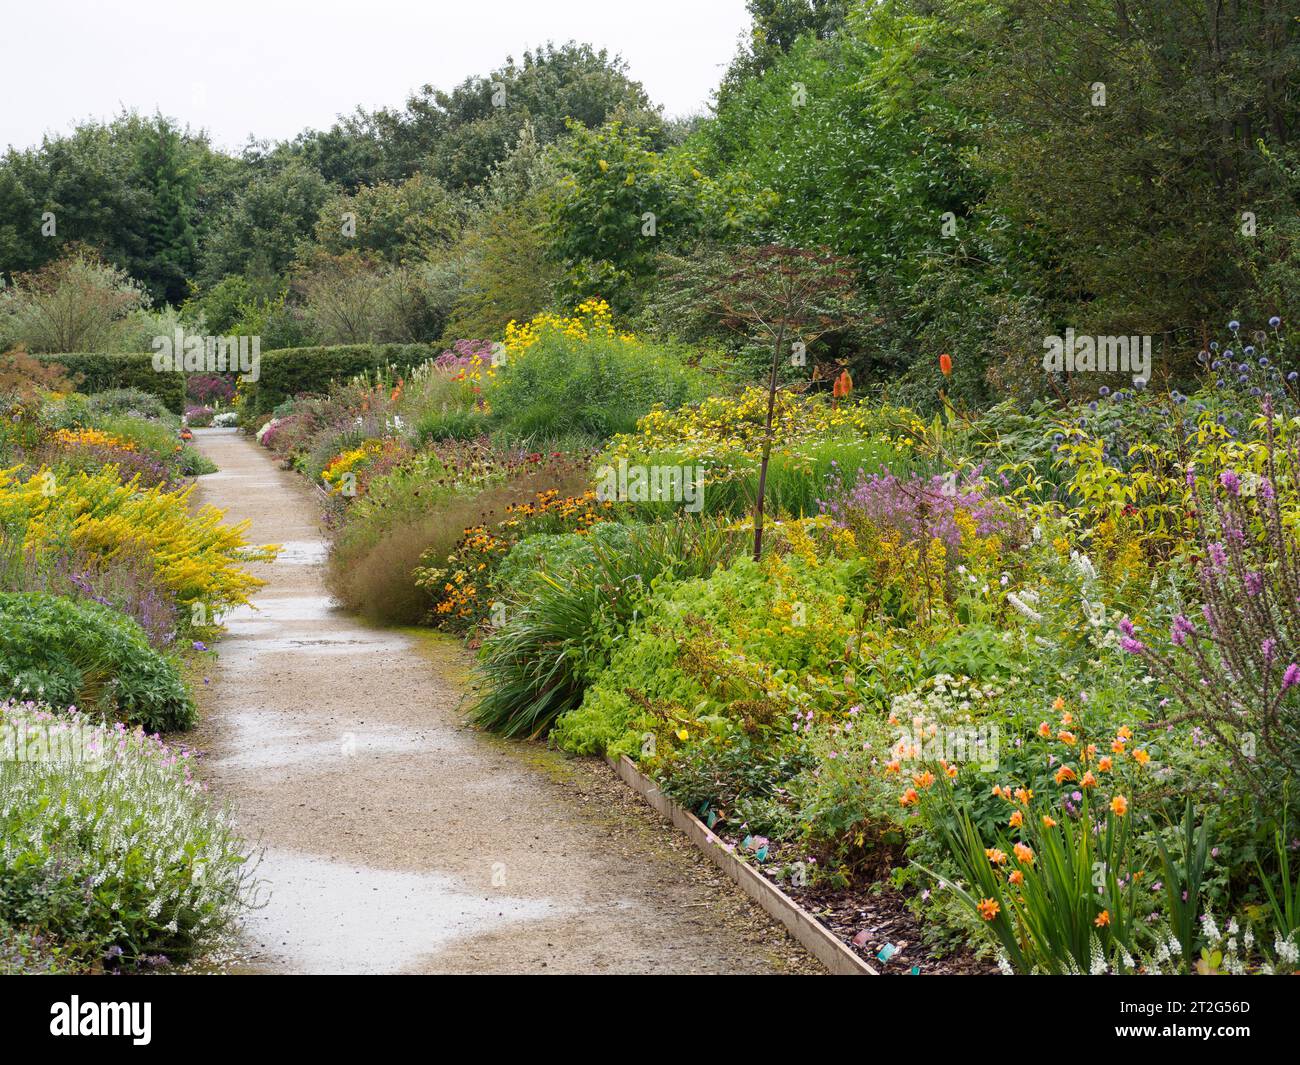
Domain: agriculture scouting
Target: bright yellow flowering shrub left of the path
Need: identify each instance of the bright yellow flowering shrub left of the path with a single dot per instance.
(196, 556)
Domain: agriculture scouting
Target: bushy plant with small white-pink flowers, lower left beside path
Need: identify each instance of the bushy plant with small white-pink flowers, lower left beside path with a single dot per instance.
(111, 847)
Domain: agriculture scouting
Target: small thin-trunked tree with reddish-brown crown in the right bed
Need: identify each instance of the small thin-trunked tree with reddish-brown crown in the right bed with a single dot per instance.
(782, 297)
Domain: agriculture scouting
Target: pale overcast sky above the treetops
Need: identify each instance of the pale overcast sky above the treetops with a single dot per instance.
(271, 68)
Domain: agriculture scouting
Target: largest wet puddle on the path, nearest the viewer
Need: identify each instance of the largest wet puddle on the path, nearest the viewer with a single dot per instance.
(357, 920)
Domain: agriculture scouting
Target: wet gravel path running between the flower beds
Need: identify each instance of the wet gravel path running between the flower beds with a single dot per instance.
(397, 839)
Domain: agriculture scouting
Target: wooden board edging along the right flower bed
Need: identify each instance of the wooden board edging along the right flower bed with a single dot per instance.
(807, 929)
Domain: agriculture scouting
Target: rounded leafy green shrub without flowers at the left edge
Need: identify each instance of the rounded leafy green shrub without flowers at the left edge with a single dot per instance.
(80, 653)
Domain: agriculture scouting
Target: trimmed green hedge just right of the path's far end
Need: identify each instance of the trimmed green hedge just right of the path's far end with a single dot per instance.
(292, 371)
